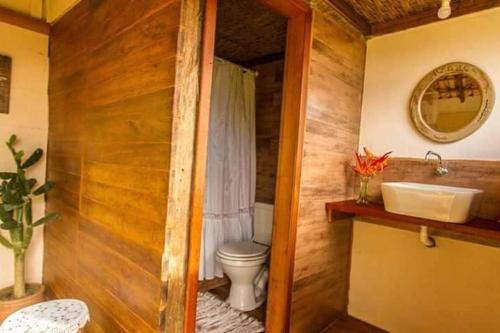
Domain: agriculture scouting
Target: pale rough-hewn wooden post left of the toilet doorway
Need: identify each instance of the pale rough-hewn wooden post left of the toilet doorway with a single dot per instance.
(176, 265)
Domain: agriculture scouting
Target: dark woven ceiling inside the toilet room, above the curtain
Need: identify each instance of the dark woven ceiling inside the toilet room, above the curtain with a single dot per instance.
(248, 33)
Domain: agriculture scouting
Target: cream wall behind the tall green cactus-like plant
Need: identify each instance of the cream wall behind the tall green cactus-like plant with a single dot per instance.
(28, 119)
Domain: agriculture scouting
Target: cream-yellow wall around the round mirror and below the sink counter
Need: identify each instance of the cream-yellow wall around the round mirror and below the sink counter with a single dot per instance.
(396, 283)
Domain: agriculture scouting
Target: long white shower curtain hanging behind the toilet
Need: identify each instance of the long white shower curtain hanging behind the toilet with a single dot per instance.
(231, 165)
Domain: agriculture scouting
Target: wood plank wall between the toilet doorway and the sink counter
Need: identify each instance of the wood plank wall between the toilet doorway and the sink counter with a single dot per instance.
(322, 255)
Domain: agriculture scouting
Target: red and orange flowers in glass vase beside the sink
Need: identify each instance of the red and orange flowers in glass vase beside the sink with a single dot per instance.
(367, 166)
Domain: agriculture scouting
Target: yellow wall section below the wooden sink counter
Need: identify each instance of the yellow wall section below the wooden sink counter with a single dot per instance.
(401, 286)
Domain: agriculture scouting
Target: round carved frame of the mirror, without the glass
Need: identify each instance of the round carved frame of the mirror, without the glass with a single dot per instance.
(487, 103)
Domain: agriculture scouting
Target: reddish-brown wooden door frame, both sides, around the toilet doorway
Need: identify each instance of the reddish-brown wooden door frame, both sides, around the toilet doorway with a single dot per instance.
(296, 70)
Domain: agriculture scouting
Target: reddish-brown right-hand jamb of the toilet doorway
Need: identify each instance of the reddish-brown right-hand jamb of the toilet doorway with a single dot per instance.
(289, 171)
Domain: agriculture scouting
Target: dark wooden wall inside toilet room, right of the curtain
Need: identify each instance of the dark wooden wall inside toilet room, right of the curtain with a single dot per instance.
(269, 87)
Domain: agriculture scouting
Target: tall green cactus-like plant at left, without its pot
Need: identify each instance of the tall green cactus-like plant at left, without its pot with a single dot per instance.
(16, 195)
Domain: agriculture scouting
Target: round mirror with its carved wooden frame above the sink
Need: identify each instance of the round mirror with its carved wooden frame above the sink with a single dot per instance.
(452, 102)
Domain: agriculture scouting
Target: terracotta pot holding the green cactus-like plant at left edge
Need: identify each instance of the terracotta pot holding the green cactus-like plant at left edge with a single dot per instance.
(36, 294)
